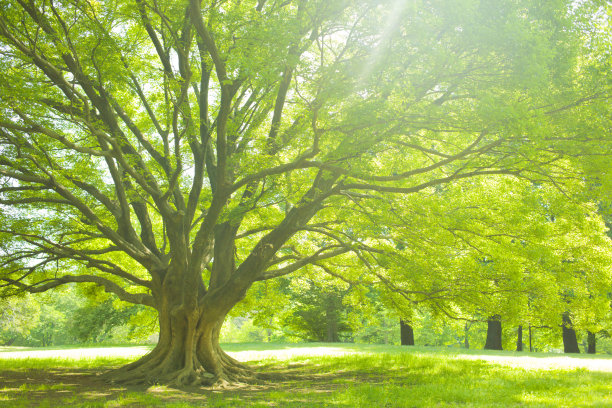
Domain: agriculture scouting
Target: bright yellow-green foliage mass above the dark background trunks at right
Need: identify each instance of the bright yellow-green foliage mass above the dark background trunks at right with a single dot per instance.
(520, 274)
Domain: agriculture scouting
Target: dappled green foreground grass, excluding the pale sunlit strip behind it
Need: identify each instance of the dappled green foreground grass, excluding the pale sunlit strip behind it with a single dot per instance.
(355, 381)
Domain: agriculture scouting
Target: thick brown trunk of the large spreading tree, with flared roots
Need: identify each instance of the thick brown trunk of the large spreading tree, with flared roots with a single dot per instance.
(188, 351)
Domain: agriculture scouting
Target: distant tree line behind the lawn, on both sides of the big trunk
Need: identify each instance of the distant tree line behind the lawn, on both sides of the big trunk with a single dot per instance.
(316, 313)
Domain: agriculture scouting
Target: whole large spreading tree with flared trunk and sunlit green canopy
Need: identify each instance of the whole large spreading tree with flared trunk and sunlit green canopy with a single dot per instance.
(177, 152)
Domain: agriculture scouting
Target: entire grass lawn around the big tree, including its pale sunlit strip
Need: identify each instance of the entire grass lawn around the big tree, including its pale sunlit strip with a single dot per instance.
(330, 375)
